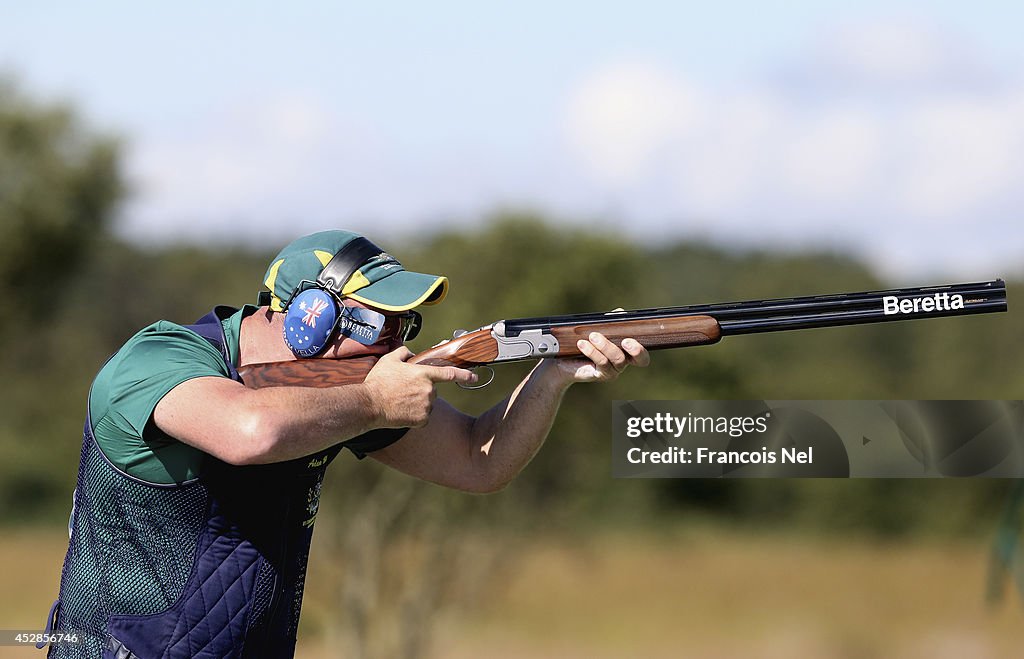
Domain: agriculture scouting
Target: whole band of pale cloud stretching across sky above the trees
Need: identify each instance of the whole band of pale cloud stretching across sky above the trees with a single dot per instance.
(873, 136)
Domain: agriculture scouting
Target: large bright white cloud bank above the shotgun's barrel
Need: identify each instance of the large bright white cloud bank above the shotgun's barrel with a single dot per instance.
(891, 130)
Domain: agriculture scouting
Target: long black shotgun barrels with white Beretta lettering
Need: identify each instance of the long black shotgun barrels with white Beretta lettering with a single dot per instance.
(812, 312)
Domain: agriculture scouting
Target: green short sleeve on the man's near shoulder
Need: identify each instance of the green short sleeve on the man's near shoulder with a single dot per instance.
(127, 390)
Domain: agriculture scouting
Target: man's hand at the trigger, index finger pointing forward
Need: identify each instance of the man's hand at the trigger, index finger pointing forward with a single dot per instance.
(403, 394)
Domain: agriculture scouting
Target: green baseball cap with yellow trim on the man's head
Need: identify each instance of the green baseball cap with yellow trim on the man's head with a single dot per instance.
(381, 283)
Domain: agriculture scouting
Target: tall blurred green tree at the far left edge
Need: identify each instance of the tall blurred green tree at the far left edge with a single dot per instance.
(60, 185)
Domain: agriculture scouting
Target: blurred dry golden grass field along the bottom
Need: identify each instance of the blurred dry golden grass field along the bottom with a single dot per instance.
(693, 594)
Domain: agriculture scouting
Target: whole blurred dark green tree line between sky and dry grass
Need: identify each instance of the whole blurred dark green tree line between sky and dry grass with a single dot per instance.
(75, 293)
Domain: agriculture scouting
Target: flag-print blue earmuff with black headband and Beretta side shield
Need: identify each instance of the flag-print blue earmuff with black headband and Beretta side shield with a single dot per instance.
(316, 311)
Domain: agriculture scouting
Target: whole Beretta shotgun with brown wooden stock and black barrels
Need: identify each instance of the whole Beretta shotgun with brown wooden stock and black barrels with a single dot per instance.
(656, 329)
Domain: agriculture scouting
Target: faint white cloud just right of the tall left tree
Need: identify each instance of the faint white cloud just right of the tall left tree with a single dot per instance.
(258, 160)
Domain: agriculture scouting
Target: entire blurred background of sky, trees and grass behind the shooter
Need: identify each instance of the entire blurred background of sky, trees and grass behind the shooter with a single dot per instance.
(548, 159)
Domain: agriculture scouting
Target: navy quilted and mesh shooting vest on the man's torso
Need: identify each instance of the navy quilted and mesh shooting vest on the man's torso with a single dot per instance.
(212, 567)
